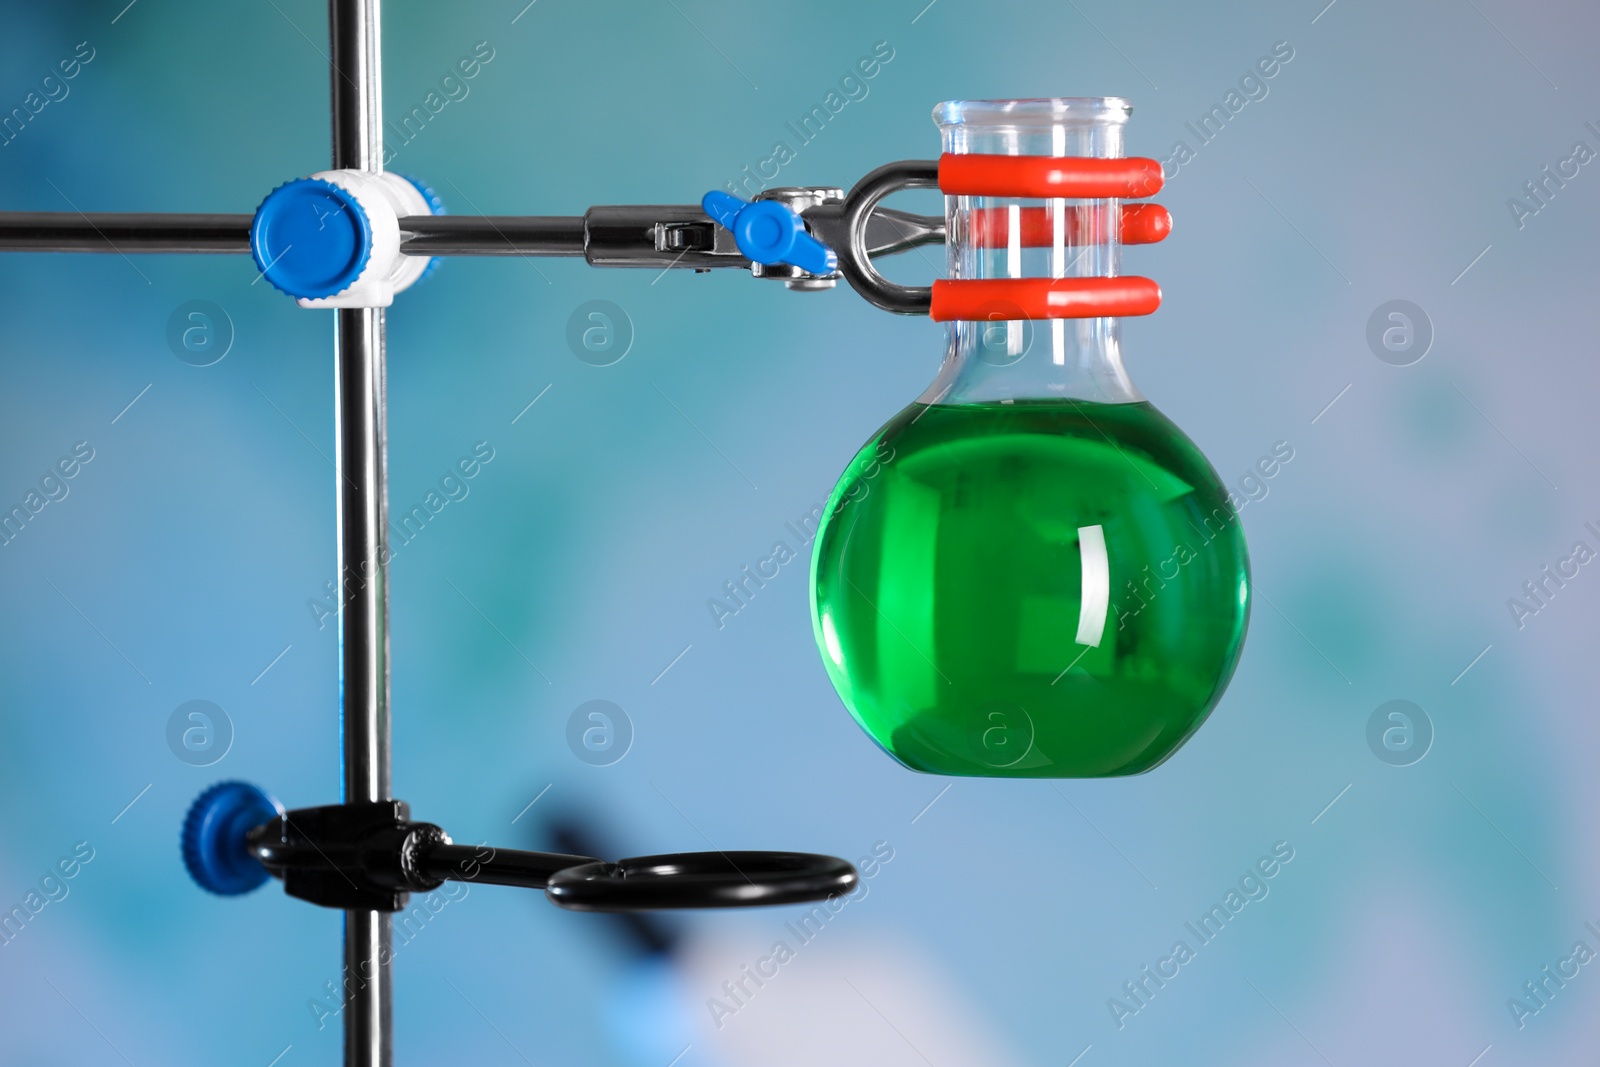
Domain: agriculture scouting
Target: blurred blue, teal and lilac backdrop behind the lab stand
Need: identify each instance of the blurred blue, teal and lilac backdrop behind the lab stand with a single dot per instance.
(183, 561)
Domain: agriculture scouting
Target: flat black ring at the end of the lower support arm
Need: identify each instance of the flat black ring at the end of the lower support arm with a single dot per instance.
(702, 881)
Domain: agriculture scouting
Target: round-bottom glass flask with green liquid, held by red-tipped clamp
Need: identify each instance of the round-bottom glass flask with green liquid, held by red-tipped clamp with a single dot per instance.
(1031, 572)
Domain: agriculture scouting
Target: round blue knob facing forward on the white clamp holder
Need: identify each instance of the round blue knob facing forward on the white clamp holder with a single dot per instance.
(311, 239)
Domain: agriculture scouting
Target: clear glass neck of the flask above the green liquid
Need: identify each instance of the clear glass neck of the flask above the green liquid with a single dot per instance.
(1006, 356)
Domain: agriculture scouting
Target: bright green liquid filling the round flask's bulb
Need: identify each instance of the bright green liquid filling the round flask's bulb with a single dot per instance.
(953, 569)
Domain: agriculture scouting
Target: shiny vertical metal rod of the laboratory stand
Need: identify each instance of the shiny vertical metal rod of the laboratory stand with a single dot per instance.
(362, 521)
